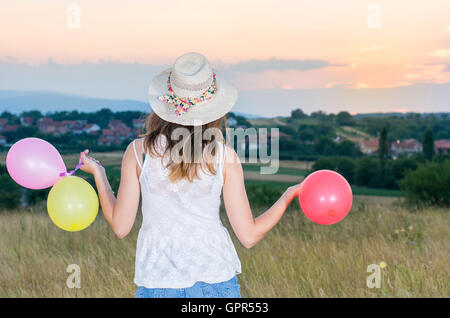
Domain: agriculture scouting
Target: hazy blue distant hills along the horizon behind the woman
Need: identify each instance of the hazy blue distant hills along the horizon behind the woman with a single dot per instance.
(19, 101)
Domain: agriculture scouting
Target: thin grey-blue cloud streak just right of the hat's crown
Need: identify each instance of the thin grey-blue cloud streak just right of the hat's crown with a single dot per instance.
(274, 64)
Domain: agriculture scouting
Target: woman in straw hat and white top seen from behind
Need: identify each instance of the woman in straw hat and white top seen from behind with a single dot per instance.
(183, 250)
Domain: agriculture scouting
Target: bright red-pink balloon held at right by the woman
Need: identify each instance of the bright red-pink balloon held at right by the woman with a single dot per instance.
(325, 197)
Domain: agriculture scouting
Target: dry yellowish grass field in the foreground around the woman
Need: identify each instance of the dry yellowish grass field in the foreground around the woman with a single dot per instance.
(296, 259)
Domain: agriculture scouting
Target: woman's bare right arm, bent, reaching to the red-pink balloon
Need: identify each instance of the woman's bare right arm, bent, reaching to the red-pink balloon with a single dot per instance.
(247, 229)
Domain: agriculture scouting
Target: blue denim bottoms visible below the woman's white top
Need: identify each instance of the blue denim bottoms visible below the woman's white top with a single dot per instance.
(228, 289)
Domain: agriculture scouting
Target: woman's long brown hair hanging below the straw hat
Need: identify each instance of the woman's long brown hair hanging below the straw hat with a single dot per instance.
(191, 161)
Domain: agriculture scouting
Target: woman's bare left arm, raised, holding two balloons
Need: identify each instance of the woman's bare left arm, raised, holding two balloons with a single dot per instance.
(121, 212)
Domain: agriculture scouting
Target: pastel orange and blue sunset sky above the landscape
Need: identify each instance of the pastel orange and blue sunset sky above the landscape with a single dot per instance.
(263, 45)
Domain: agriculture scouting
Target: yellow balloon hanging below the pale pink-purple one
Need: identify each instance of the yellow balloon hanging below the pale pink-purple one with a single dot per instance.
(72, 204)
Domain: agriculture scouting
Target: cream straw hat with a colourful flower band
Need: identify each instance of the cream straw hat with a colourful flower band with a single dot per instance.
(191, 92)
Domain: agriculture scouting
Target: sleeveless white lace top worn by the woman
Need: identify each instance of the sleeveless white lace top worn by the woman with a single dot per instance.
(182, 240)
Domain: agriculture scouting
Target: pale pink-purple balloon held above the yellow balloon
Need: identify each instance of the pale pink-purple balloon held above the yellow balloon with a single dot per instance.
(34, 163)
